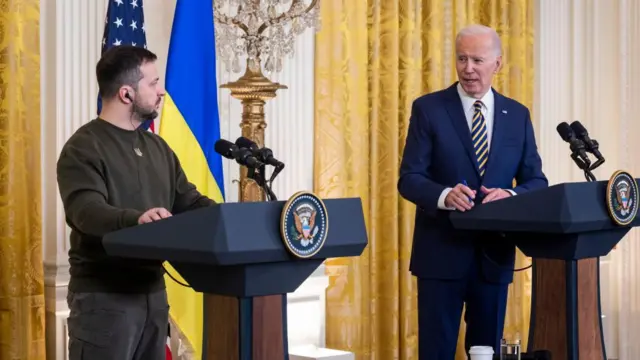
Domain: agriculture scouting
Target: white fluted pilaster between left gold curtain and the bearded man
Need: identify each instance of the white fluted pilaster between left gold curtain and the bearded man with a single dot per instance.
(68, 53)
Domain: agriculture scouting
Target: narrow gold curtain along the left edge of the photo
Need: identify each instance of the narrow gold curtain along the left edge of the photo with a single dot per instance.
(21, 272)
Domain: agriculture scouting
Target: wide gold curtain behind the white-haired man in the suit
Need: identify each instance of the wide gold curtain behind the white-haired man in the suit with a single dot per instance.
(373, 58)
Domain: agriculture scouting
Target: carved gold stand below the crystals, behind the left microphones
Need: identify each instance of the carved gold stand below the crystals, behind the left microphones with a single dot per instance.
(252, 89)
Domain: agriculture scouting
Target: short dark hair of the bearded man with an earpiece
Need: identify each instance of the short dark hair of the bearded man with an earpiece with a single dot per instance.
(120, 65)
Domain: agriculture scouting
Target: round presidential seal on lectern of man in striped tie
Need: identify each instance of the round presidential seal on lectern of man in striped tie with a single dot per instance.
(622, 198)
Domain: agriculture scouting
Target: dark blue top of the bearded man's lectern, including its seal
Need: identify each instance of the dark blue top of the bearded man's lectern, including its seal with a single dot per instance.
(249, 233)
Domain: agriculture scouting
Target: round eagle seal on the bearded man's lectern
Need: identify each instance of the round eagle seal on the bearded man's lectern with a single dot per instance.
(304, 224)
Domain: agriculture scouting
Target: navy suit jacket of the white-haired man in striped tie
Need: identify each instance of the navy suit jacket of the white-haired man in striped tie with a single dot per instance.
(439, 154)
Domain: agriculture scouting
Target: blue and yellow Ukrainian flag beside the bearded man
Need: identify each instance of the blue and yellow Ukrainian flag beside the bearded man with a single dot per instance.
(191, 126)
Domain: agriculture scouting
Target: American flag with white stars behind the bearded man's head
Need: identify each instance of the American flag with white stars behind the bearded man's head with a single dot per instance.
(124, 25)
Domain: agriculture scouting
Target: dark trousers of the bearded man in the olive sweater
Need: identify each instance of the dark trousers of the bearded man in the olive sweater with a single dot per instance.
(109, 326)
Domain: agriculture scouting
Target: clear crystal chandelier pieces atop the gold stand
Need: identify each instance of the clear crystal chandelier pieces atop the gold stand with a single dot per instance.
(261, 30)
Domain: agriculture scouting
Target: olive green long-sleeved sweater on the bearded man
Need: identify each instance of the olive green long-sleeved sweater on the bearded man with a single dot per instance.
(108, 177)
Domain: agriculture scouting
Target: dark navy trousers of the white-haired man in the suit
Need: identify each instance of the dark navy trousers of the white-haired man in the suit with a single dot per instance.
(440, 304)
